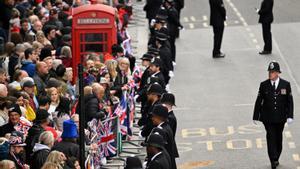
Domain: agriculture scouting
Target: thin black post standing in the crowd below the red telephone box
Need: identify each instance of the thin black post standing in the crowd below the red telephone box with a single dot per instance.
(81, 117)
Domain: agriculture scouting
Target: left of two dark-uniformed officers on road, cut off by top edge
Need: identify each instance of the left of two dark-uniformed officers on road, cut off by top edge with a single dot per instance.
(217, 19)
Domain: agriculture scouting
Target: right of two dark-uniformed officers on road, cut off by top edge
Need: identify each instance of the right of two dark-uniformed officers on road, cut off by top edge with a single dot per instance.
(266, 18)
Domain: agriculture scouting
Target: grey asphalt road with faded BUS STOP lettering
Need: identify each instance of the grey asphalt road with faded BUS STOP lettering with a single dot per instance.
(215, 97)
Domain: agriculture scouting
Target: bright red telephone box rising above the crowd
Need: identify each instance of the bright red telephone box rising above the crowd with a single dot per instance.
(93, 31)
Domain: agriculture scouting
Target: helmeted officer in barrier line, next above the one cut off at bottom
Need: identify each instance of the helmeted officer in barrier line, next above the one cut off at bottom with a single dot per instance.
(160, 121)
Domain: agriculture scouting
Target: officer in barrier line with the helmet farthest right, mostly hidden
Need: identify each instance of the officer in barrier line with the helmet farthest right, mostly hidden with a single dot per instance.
(168, 100)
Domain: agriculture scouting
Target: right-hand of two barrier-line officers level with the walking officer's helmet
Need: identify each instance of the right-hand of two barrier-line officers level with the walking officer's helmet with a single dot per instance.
(155, 71)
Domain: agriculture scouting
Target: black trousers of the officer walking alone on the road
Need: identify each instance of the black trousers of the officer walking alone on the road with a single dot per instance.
(274, 140)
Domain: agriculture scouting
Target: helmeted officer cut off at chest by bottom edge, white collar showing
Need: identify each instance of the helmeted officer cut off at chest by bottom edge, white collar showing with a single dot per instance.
(158, 158)
